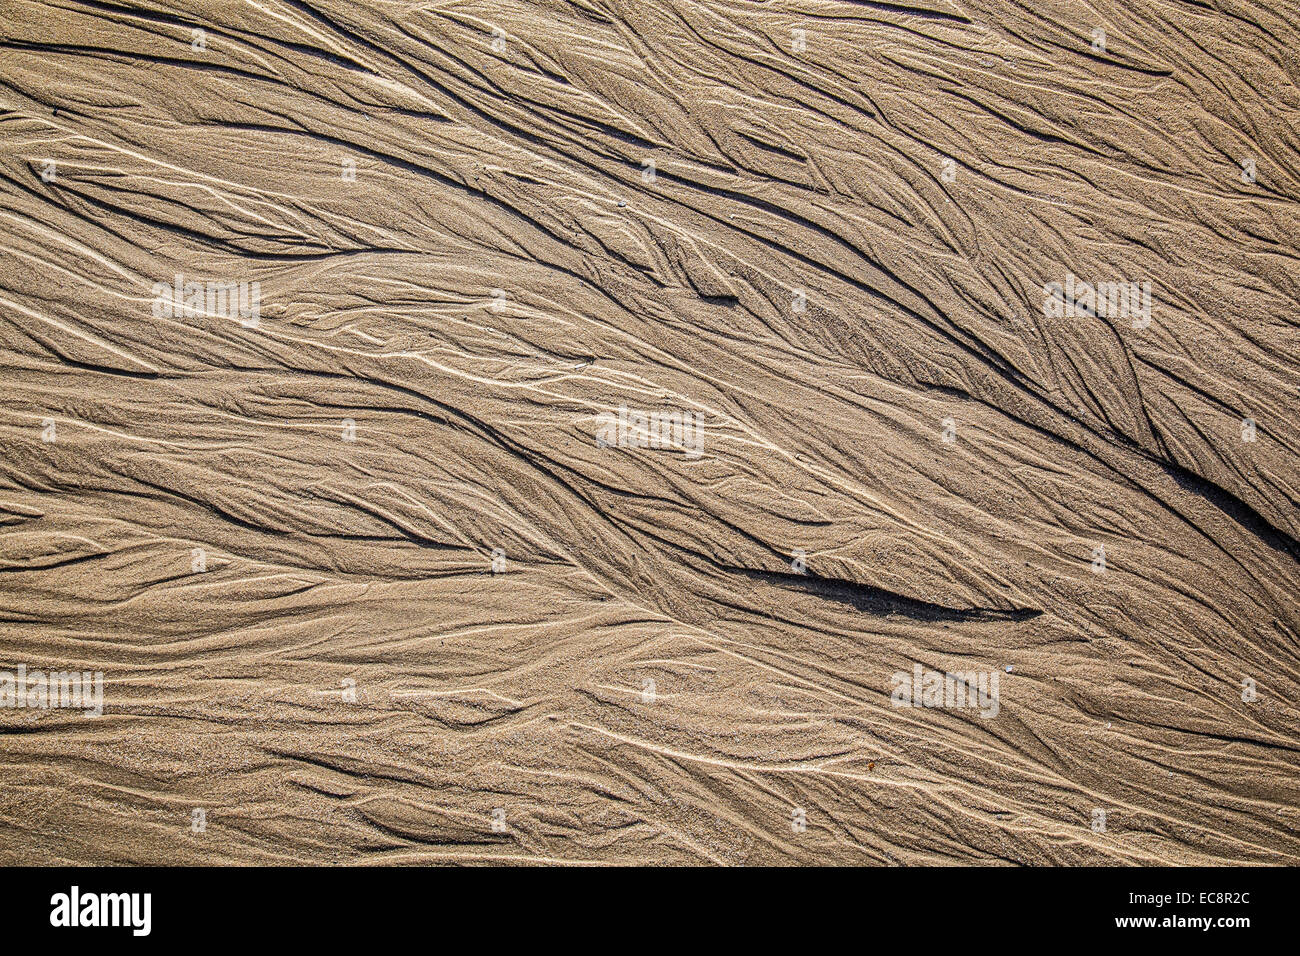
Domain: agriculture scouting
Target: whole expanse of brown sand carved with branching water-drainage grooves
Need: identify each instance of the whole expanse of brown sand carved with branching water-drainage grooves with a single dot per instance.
(590, 410)
